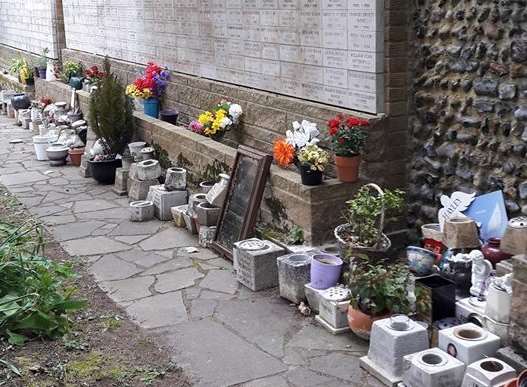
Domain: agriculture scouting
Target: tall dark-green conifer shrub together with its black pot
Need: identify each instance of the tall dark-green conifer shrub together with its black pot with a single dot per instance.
(111, 119)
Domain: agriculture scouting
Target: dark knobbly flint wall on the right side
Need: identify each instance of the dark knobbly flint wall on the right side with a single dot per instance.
(468, 129)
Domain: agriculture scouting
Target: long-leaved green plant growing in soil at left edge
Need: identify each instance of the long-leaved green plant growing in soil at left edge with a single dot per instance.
(34, 297)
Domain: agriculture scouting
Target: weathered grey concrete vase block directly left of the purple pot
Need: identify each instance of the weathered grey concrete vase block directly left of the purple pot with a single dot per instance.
(293, 274)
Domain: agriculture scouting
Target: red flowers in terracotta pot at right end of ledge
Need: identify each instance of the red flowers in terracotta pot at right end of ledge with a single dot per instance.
(348, 140)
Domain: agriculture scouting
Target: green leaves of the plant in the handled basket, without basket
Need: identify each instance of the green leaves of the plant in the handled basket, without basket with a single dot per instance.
(364, 211)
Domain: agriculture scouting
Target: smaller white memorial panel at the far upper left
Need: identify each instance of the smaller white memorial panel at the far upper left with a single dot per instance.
(32, 26)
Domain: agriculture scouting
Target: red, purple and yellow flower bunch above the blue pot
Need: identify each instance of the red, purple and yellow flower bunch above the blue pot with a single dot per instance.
(152, 84)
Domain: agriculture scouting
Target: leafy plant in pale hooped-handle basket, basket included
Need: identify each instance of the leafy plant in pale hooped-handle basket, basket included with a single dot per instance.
(365, 214)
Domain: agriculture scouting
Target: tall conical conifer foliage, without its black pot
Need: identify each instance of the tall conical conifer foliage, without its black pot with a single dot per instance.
(110, 113)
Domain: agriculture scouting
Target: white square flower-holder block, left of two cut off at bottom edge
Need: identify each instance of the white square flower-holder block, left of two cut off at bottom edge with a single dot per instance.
(432, 368)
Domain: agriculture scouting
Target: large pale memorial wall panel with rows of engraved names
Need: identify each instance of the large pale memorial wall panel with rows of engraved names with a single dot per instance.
(293, 45)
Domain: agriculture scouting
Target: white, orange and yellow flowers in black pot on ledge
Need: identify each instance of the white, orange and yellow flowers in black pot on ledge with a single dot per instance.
(300, 148)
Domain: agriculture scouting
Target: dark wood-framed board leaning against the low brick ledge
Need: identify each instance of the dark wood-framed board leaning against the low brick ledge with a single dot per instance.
(241, 206)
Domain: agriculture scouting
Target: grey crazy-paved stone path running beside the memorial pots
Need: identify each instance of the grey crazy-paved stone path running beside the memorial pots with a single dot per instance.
(220, 332)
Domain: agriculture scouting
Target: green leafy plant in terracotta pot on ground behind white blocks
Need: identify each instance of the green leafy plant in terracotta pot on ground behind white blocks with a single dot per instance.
(377, 291)
